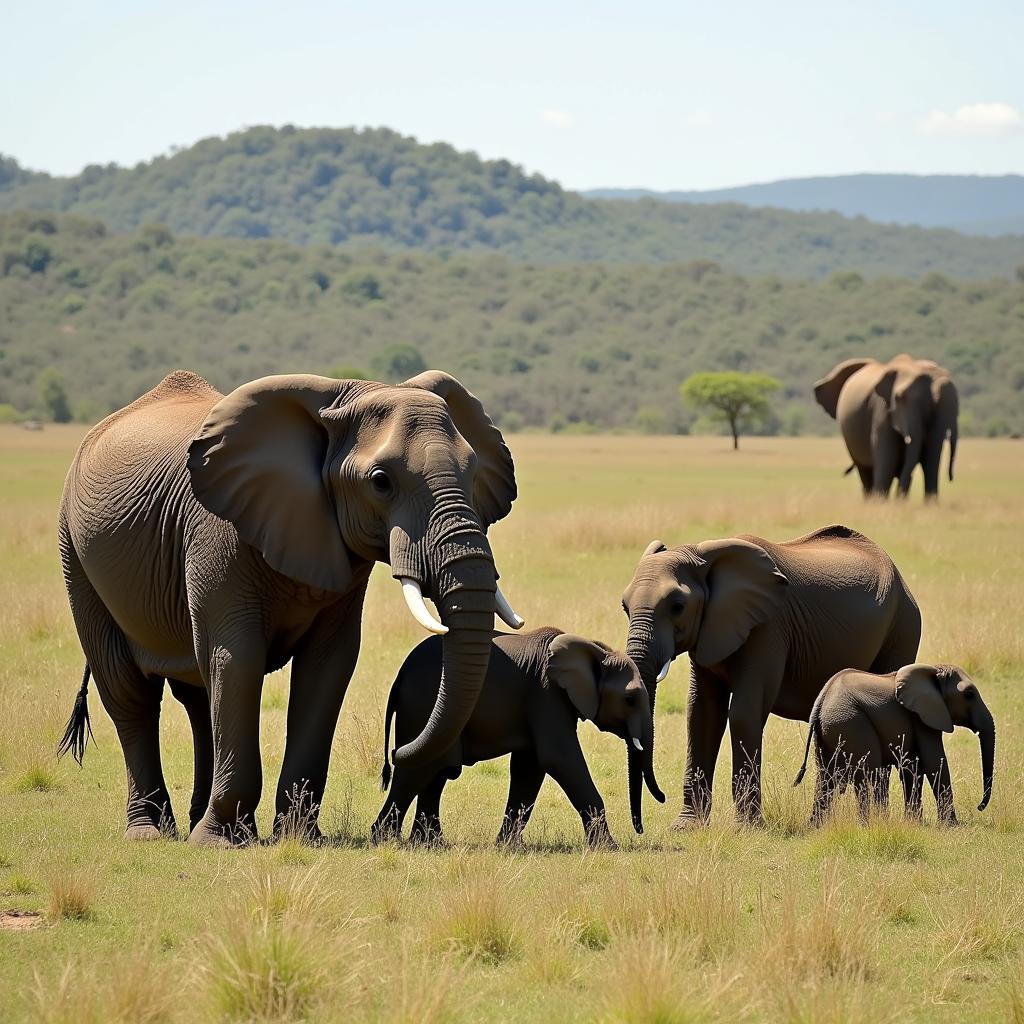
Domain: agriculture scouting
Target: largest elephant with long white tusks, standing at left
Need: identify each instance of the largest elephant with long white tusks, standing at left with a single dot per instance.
(208, 540)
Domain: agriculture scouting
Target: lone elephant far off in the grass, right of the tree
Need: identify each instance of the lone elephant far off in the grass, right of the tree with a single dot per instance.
(893, 416)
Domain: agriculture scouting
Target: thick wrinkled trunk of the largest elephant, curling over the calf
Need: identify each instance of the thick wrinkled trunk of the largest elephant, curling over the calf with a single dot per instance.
(458, 570)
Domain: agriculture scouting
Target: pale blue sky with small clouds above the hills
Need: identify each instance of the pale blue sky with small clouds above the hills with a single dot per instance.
(668, 96)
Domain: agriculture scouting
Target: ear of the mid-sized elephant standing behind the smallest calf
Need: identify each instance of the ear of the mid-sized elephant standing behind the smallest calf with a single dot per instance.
(745, 589)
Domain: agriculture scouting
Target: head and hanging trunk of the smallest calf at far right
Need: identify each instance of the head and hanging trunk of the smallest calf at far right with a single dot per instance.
(945, 697)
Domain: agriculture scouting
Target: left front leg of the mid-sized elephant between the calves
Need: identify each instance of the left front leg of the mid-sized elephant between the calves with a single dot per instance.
(707, 714)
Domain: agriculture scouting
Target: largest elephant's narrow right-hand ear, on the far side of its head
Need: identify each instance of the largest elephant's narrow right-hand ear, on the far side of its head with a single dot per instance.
(496, 487)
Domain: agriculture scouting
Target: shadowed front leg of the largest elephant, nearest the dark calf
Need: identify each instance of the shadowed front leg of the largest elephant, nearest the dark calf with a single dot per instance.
(322, 670)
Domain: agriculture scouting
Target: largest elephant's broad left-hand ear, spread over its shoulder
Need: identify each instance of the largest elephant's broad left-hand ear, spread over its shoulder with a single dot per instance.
(259, 461)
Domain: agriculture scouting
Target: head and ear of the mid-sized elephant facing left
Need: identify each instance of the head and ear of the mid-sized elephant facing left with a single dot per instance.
(701, 600)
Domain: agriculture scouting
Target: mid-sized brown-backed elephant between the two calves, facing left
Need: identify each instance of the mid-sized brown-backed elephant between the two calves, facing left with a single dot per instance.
(764, 625)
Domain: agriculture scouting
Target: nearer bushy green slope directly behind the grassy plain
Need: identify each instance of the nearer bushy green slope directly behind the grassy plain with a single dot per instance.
(103, 317)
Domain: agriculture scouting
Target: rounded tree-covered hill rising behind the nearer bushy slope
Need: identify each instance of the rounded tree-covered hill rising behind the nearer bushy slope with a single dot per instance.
(378, 188)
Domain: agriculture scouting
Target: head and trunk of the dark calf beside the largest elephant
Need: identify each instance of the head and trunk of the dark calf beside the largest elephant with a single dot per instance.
(606, 688)
